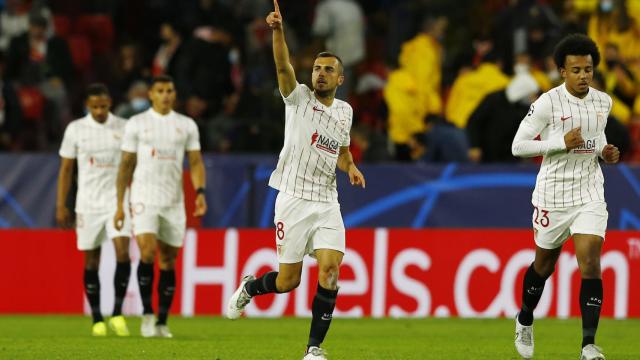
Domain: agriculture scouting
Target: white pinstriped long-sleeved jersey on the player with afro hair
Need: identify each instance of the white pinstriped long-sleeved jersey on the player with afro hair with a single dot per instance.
(566, 178)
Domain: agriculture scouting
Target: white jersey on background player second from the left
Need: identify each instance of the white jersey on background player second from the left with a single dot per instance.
(160, 142)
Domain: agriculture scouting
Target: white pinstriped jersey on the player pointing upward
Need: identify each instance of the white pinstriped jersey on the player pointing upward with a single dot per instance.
(313, 135)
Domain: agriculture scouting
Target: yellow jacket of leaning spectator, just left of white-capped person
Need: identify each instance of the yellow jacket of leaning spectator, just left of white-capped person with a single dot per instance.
(470, 88)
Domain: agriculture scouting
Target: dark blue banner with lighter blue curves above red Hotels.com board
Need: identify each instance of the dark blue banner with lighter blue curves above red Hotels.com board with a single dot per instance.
(397, 195)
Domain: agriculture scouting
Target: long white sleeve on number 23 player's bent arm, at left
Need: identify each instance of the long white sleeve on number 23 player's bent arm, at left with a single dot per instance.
(531, 126)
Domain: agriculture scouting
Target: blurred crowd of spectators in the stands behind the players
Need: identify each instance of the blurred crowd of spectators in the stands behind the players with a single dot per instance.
(429, 80)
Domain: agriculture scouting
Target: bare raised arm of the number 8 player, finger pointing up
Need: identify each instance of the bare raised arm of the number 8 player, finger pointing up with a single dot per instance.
(284, 69)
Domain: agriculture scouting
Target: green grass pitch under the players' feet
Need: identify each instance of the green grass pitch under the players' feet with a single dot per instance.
(68, 337)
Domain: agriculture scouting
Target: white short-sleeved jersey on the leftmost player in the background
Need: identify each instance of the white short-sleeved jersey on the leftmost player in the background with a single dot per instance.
(96, 147)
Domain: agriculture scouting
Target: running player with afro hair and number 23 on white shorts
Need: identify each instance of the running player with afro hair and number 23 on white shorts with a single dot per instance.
(568, 198)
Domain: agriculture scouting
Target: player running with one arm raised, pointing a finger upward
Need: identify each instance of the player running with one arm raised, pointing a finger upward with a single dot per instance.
(307, 212)
